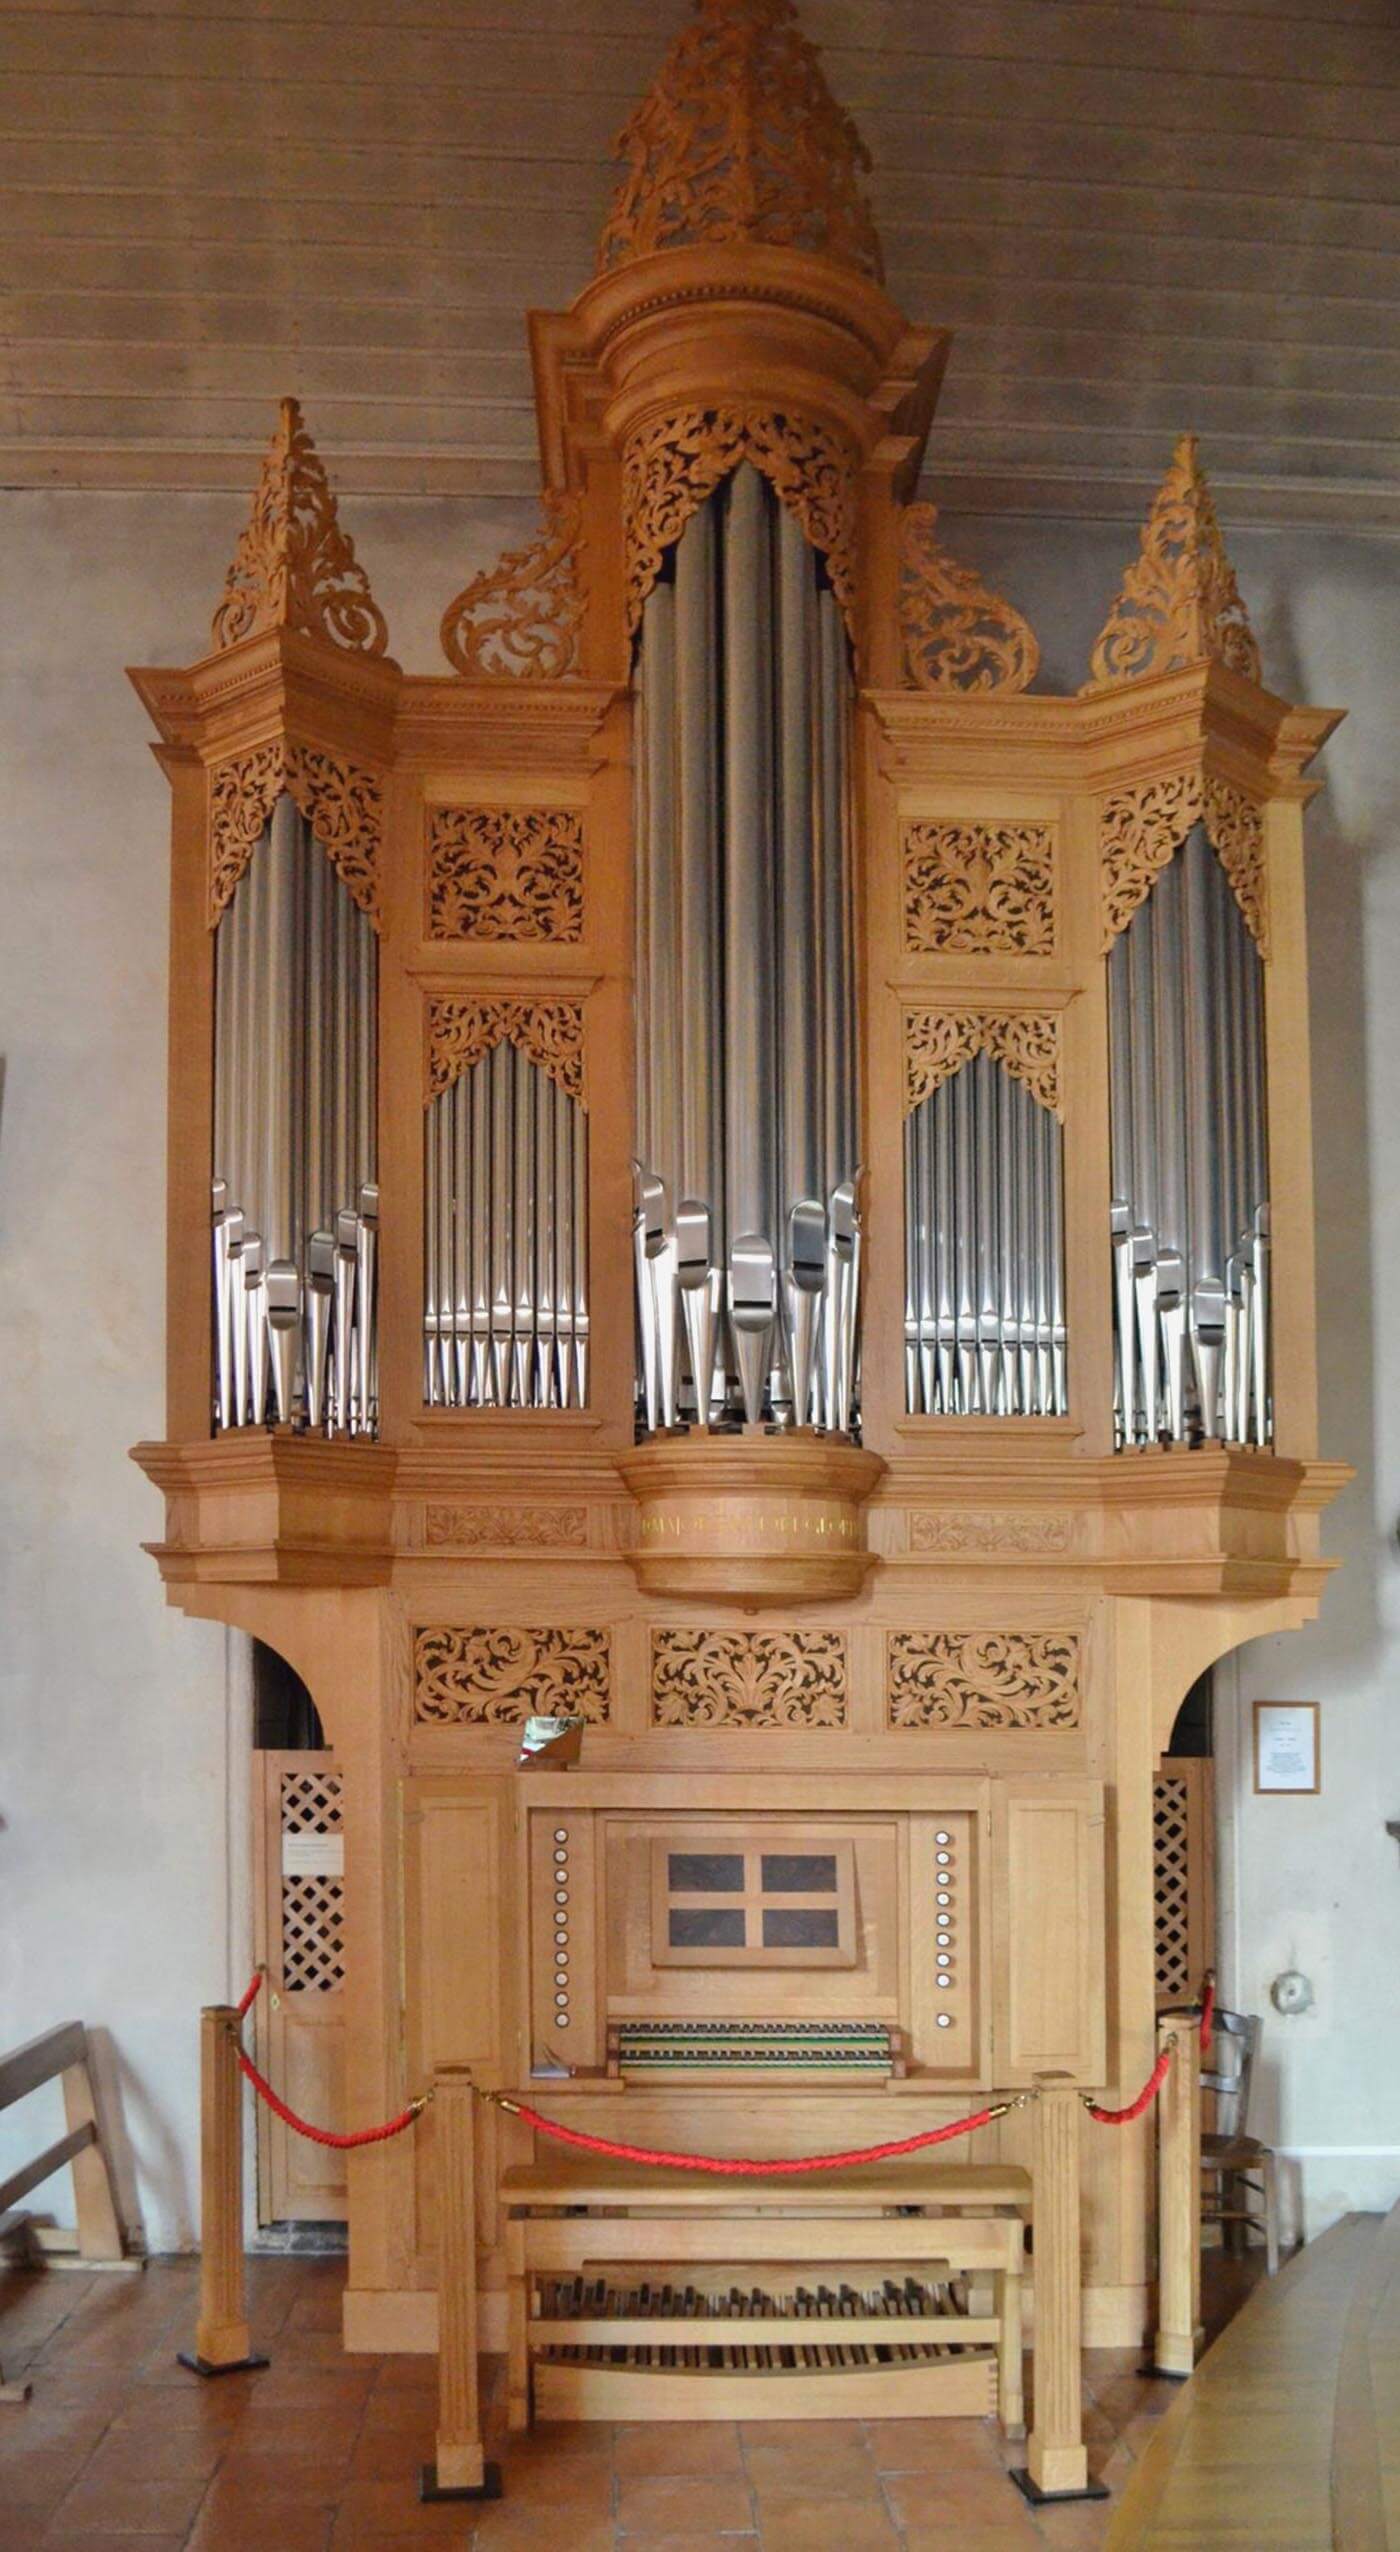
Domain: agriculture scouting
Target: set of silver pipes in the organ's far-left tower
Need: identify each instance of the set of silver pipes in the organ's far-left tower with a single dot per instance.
(295, 1142)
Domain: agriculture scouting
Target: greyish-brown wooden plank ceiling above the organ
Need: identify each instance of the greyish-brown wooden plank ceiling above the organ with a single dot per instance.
(1139, 218)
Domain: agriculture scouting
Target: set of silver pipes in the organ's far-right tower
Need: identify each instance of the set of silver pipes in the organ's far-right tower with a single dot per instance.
(1190, 1162)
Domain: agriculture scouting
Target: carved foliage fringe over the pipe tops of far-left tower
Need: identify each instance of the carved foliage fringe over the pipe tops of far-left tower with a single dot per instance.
(338, 800)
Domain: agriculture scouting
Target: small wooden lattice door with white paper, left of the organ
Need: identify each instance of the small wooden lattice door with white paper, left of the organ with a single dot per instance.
(300, 1931)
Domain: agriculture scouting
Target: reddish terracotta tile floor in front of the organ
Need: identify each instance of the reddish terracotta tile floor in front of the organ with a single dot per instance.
(124, 2451)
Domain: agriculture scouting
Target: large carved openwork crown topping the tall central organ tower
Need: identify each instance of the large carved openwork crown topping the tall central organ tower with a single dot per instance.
(741, 139)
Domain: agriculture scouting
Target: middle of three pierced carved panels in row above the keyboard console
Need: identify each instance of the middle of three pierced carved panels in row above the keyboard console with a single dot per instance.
(748, 1680)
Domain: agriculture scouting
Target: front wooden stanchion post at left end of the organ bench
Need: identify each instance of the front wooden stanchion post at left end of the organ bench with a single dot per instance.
(460, 2469)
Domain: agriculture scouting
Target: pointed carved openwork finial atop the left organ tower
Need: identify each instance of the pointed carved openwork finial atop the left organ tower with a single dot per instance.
(295, 568)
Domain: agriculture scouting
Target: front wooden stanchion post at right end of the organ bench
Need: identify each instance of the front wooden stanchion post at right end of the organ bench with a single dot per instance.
(1057, 2461)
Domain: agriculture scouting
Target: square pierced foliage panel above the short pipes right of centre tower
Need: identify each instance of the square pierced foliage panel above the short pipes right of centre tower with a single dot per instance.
(981, 889)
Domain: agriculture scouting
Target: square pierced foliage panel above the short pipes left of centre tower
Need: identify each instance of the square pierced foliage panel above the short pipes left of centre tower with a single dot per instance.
(506, 874)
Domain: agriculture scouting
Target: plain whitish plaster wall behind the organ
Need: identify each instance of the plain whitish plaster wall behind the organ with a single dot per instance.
(124, 1864)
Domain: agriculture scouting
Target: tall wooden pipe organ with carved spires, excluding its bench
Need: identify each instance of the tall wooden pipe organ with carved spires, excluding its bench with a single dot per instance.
(738, 1178)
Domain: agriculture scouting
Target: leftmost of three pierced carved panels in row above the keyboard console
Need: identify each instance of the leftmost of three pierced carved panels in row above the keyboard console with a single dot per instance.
(501, 1678)
